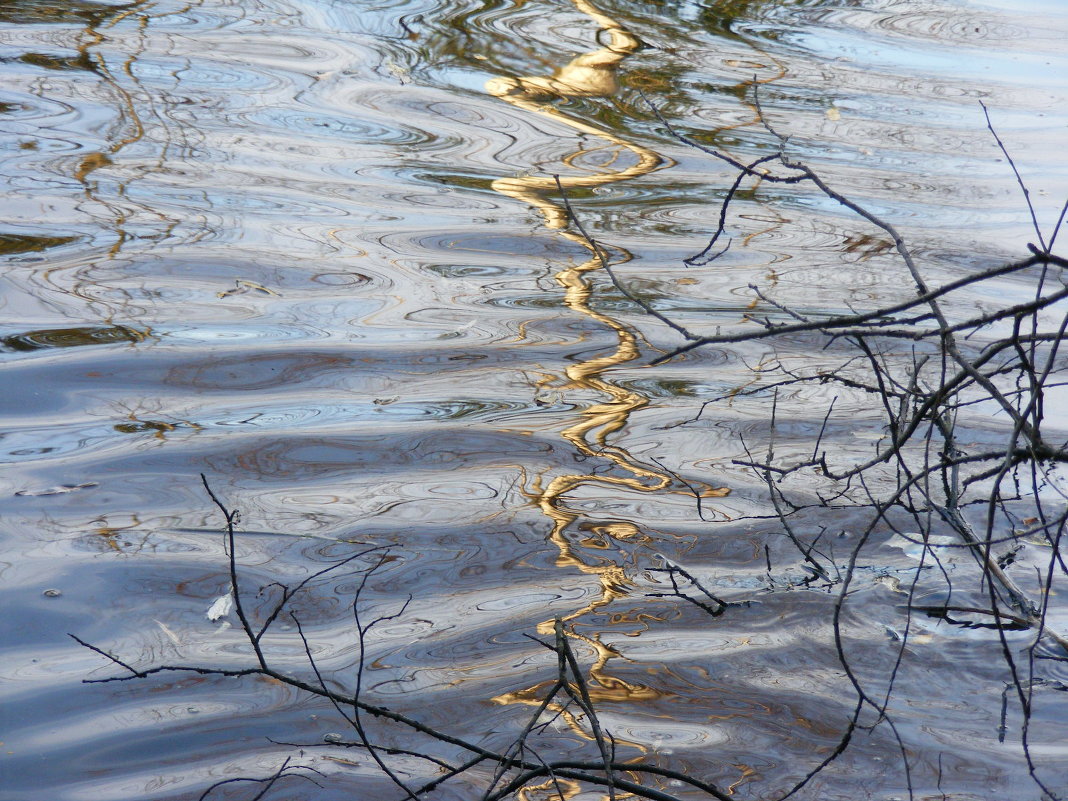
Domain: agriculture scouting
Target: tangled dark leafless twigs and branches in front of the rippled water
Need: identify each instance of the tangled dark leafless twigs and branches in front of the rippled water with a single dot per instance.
(930, 371)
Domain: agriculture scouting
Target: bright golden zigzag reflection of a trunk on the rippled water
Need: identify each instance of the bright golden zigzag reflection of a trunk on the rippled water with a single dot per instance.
(590, 75)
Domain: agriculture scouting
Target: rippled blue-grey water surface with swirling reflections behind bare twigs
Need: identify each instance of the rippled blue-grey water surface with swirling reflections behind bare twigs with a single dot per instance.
(315, 250)
